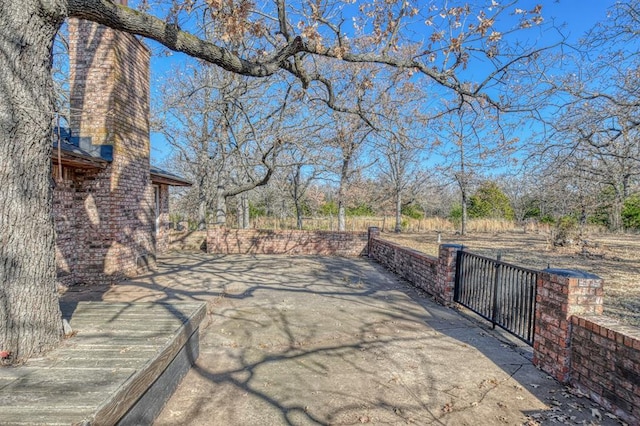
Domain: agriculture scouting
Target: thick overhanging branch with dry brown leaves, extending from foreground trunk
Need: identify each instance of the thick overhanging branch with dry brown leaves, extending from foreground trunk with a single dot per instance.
(170, 35)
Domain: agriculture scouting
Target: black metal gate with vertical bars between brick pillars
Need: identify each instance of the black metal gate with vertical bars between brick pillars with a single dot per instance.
(499, 292)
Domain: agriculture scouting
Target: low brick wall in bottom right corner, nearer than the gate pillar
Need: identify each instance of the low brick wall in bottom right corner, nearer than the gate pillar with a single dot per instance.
(605, 364)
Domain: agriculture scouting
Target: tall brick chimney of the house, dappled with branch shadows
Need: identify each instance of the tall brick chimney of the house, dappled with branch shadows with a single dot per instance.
(109, 84)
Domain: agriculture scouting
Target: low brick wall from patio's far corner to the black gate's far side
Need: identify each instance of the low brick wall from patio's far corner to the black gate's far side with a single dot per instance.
(435, 275)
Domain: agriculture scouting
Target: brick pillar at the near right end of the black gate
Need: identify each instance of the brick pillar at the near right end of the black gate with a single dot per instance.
(562, 293)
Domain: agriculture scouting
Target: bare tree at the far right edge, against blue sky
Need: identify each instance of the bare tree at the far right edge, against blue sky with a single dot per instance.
(595, 130)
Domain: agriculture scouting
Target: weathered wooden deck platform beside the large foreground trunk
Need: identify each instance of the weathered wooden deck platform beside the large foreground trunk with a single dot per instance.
(106, 373)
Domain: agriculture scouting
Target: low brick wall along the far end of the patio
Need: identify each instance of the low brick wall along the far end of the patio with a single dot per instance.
(254, 241)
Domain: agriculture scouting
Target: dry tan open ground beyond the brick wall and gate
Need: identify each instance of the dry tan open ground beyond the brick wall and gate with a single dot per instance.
(613, 257)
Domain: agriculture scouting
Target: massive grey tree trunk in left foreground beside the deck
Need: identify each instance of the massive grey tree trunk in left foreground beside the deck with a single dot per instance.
(30, 319)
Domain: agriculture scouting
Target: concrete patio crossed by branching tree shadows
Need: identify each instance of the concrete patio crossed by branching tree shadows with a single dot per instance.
(326, 340)
